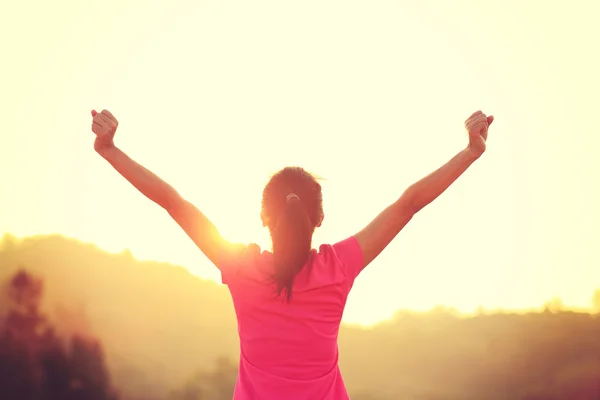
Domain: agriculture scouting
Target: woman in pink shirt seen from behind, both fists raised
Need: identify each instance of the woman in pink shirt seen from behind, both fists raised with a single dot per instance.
(289, 302)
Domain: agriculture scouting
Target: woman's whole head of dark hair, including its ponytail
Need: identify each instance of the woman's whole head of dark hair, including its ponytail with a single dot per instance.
(292, 206)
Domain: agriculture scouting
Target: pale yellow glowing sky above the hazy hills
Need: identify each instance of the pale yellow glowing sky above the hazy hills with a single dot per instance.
(215, 96)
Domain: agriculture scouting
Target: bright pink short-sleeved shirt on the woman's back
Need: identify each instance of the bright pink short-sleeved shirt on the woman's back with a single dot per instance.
(289, 350)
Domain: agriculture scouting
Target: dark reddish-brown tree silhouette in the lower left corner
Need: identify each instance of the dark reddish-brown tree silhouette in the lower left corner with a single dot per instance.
(35, 364)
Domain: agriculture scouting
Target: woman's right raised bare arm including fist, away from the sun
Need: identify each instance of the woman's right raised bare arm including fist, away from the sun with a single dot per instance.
(383, 229)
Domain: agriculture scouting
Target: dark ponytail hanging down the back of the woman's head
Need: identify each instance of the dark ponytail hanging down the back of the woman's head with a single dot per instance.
(292, 239)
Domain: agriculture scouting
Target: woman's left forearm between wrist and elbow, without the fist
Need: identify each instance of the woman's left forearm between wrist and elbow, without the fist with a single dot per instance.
(141, 178)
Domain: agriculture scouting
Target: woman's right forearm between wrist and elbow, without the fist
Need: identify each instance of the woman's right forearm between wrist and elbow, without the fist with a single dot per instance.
(423, 192)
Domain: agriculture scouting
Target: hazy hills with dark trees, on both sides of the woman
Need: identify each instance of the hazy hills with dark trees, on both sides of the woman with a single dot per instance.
(162, 333)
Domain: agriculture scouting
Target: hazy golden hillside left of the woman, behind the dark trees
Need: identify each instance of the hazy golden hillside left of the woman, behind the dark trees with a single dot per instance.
(159, 324)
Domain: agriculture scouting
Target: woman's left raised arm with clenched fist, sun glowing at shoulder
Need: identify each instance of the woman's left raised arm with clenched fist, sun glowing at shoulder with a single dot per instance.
(195, 224)
